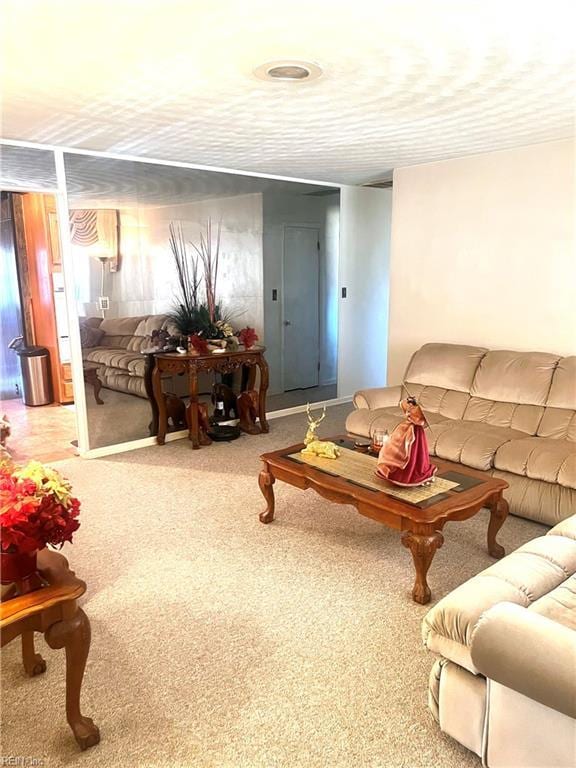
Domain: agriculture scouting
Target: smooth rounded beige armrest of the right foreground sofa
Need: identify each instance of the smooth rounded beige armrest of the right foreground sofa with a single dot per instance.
(529, 653)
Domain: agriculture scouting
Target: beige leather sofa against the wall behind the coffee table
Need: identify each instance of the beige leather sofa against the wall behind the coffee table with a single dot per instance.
(512, 414)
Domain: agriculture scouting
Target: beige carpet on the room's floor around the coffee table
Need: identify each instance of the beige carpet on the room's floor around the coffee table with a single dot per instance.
(218, 641)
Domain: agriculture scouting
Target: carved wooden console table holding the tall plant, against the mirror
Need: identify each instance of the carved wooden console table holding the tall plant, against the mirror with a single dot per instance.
(192, 365)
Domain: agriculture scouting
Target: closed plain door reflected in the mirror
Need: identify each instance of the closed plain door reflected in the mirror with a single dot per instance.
(300, 307)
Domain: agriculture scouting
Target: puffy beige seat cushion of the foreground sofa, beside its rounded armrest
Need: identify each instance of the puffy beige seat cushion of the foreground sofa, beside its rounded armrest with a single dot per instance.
(523, 577)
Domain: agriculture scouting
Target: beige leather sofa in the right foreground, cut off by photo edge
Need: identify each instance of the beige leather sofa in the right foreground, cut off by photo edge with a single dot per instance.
(505, 683)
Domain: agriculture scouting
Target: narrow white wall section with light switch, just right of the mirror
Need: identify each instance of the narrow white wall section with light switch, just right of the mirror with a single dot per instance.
(365, 216)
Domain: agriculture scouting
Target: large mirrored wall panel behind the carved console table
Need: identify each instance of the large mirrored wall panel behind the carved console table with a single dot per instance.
(166, 257)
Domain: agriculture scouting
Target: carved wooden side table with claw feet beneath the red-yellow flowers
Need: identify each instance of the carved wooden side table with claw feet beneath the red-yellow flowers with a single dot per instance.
(53, 611)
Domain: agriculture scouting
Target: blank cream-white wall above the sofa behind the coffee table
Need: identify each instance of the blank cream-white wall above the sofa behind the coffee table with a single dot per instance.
(483, 252)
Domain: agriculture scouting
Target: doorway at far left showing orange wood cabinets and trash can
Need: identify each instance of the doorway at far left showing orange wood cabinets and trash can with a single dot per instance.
(33, 315)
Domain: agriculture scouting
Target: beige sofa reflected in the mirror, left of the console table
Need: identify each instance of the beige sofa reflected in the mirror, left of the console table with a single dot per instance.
(118, 352)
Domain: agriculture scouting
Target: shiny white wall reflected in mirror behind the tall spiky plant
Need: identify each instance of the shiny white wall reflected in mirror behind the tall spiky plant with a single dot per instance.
(146, 282)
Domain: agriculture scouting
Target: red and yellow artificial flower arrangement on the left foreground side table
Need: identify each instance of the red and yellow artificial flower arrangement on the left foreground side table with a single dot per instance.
(36, 508)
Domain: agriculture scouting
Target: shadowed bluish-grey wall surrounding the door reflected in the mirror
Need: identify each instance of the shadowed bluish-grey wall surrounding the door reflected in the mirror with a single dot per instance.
(321, 212)
